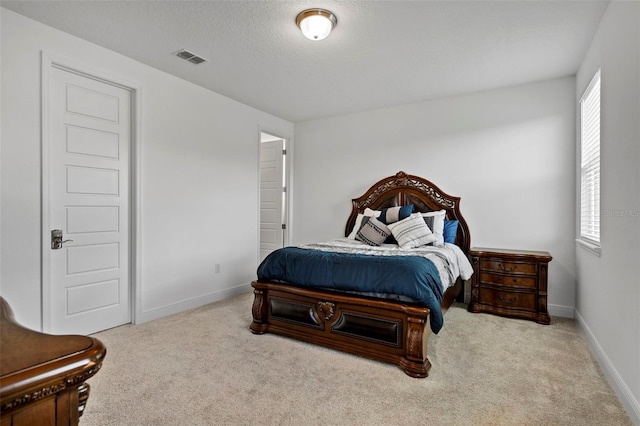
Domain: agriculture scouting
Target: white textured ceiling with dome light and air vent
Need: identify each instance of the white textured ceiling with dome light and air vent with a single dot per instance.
(381, 54)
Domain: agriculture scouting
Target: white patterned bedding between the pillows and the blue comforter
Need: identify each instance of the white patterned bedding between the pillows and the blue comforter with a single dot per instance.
(450, 261)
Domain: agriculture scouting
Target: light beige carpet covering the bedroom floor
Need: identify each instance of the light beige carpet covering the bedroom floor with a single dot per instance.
(204, 367)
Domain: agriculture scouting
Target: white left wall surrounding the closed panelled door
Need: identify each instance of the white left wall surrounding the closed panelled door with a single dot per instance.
(198, 177)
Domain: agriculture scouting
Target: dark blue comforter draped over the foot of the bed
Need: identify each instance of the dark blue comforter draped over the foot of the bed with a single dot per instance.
(411, 276)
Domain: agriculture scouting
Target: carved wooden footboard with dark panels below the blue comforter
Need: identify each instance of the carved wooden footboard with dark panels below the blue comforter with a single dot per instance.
(391, 332)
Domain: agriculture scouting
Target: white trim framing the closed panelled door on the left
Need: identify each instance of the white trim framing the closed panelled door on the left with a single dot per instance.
(135, 229)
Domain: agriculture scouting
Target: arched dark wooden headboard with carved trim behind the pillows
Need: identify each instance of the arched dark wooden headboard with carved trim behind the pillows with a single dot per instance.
(403, 189)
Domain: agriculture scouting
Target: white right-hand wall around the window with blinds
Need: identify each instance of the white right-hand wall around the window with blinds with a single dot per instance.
(608, 296)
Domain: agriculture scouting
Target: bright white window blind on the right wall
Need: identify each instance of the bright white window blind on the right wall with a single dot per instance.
(590, 162)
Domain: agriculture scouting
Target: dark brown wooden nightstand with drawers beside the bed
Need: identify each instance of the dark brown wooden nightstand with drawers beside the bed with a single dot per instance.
(510, 282)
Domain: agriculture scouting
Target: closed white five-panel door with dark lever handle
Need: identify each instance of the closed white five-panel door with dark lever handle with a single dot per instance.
(88, 185)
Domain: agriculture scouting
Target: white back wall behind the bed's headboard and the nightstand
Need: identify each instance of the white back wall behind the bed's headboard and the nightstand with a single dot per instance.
(509, 154)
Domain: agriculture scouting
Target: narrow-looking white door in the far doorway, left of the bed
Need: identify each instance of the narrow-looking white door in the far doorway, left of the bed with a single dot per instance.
(271, 196)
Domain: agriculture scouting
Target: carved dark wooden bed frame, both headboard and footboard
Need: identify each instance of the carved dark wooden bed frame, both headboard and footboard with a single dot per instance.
(389, 331)
